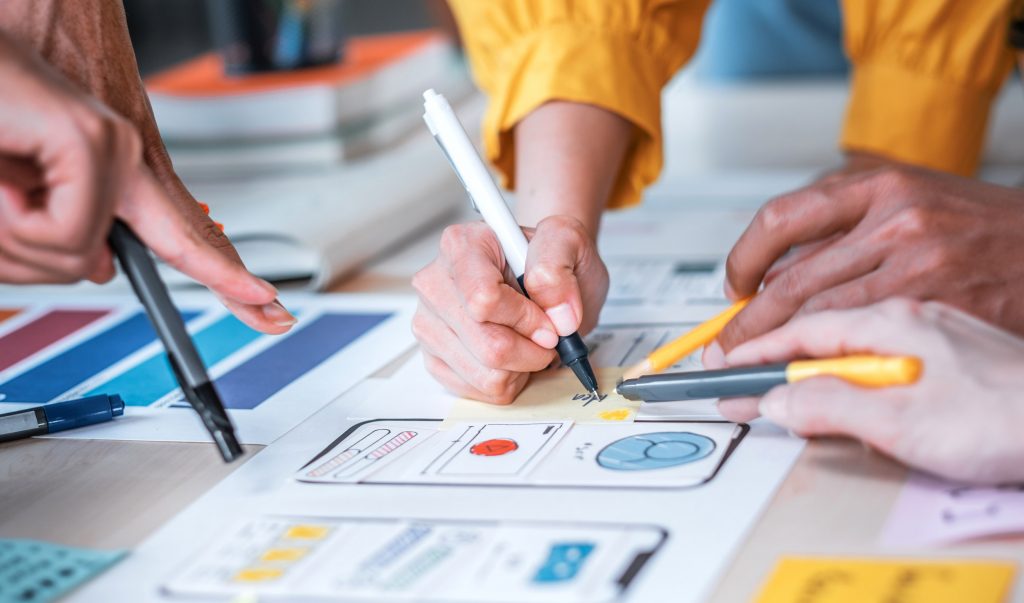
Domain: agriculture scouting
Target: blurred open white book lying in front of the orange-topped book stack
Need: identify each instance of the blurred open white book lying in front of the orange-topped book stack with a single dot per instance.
(317, 228)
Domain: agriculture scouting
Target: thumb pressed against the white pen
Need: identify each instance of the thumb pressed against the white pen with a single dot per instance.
(558, 252)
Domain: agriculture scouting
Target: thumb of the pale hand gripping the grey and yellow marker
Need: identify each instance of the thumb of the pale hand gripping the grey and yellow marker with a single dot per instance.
(828, 406)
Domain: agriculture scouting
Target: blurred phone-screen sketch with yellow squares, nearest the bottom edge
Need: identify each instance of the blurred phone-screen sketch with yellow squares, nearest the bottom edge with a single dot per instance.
(423, 561)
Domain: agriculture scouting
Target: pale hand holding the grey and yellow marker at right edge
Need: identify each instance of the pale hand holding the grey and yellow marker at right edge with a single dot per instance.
(962, 420)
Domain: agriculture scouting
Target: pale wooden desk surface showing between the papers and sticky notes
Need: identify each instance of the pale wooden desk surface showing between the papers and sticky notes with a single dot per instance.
(112, 495)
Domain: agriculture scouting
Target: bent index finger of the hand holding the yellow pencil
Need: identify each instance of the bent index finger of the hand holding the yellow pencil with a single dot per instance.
(804, 217)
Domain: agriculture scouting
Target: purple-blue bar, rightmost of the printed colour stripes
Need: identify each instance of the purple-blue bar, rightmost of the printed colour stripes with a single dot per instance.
(269, 372)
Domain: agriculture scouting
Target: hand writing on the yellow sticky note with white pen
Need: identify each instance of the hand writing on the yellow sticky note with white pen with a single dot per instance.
(481, 337)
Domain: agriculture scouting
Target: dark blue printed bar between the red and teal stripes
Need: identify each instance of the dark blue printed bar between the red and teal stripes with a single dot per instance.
(72, 367)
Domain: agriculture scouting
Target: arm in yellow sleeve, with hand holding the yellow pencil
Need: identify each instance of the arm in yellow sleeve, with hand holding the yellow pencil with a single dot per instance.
(924, 78)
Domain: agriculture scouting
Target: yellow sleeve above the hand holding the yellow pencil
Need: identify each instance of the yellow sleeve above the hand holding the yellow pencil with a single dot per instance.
(925, 75)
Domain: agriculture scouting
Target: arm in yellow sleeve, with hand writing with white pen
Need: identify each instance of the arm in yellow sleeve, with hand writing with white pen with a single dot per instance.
(574, 124)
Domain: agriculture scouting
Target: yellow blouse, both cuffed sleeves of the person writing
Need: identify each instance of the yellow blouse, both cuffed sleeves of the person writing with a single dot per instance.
(925, 72)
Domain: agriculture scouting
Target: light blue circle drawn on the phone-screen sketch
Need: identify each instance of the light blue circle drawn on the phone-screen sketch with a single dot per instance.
(655, 451)
